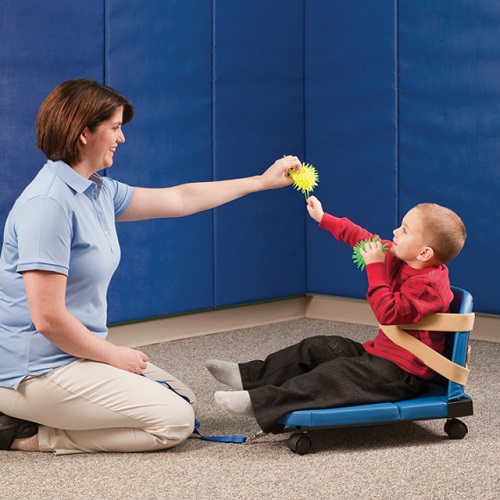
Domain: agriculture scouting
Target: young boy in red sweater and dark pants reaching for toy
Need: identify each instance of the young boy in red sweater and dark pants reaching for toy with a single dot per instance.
(407, 283)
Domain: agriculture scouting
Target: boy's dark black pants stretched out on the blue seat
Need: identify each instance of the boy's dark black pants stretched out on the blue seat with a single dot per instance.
(322, 372)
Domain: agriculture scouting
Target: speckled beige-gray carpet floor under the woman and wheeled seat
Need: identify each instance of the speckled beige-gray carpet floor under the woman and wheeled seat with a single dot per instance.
(406, 460)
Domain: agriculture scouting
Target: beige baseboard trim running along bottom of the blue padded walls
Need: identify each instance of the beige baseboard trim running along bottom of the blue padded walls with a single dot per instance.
(326, 307)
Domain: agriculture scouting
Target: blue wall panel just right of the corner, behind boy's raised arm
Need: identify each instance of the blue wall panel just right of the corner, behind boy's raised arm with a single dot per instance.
(350, 131)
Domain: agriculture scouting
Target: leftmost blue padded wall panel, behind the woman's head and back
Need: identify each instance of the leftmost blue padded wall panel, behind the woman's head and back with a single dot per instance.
(41, 46)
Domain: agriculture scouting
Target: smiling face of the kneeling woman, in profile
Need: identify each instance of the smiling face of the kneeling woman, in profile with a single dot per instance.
(100, 145)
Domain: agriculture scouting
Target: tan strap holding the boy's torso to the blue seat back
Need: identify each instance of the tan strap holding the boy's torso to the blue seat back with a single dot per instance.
(445, 322)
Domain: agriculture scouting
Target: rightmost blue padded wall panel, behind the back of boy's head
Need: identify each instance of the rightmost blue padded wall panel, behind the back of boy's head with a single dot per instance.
(449, 146)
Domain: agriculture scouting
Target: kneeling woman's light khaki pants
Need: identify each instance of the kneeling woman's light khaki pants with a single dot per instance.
(88, 406)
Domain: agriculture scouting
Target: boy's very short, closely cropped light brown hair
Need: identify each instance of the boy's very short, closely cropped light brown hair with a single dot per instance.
(443, 229)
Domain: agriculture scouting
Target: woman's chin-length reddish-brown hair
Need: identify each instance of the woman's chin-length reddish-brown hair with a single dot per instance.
(71, 107)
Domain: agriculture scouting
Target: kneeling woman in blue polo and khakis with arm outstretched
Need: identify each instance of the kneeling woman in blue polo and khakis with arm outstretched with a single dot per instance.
(63, 387)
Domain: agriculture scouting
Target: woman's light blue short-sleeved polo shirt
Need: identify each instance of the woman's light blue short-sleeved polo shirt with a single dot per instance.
(63, 223)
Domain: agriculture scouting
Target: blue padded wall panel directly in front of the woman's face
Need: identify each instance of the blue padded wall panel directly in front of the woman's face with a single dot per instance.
(159, 54)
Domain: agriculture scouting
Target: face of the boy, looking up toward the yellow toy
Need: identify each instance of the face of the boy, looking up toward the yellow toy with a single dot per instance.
(408, 240)
